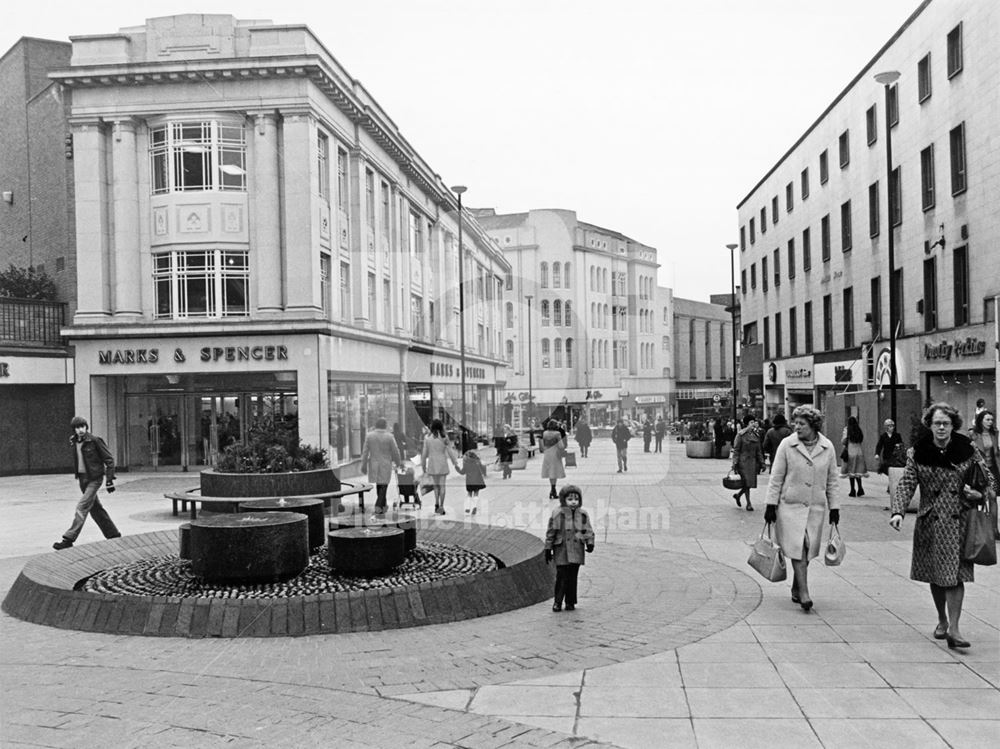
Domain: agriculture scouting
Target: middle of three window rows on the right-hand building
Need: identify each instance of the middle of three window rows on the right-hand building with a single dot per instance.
(928, 200)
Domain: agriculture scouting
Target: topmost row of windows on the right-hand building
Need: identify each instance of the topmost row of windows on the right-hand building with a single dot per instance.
(954, 65)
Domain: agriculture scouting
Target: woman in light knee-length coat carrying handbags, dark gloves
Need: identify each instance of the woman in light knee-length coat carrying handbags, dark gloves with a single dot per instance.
(803, 487)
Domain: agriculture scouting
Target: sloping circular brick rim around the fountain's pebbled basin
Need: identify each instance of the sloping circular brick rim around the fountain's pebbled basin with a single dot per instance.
(44, 592)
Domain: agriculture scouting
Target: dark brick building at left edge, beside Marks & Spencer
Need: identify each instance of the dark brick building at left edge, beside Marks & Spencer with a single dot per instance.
(36, 231)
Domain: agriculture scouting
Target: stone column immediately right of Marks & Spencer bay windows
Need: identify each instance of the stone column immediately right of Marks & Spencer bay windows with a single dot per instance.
(265, 211)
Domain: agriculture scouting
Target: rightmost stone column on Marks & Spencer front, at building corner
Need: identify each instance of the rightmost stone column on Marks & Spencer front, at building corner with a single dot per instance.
(298, 177)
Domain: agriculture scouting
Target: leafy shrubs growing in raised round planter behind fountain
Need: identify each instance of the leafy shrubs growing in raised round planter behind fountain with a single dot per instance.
(272, 446)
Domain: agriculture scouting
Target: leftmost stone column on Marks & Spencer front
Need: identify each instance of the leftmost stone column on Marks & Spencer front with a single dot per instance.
(92, 240)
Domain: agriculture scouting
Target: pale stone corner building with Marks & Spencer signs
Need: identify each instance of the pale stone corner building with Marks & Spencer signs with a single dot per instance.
(254, 236)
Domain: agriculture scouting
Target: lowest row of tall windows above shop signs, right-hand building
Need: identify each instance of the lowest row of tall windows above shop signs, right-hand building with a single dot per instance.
(927, 307)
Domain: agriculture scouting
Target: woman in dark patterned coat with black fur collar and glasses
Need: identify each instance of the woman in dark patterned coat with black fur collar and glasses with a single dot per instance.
(938, 467)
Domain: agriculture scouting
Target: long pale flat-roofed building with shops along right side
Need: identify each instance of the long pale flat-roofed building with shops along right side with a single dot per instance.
(814, 231)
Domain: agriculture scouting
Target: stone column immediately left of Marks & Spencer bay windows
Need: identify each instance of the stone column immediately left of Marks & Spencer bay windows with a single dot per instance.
(125, 206)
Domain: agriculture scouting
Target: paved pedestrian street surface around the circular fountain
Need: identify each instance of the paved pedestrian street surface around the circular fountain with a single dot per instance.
(676, 642)
